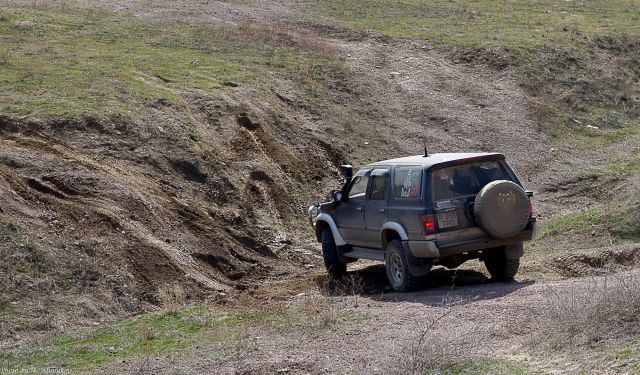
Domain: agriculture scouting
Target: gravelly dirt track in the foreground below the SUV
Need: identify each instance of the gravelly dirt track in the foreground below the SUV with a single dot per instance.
(473, 318)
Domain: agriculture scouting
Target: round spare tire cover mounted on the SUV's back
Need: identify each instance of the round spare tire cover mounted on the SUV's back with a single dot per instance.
(502, 209)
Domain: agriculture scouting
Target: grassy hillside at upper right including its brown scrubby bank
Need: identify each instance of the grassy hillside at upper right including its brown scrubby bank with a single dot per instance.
(579, 60)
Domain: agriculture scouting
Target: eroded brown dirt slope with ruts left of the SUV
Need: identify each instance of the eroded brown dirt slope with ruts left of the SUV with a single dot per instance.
(133, 207)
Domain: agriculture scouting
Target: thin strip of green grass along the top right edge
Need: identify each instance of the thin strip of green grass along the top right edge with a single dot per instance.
(515, 25)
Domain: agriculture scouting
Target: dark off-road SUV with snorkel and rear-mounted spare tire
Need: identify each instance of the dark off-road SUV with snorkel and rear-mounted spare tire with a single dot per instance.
(419, 211)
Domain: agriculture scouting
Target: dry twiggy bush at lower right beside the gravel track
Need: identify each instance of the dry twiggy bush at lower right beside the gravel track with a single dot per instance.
(603, 309)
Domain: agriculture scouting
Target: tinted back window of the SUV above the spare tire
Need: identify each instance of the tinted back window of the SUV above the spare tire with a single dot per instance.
(465, 179)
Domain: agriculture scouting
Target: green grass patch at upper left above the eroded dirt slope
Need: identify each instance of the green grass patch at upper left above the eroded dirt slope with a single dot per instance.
(61, 60)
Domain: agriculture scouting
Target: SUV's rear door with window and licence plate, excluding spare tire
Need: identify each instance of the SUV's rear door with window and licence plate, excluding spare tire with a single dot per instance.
(454, 189)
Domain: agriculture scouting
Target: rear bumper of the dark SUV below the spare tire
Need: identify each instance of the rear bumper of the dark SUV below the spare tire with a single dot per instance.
(430, 249)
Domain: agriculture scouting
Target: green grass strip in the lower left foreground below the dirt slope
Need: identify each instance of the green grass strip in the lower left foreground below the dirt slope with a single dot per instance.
(219, 333)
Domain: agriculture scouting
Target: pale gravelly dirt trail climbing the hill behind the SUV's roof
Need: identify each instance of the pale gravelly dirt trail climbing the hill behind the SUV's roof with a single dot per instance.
(421, 94)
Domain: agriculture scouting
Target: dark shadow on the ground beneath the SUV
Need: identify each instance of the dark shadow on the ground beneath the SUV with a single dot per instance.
(441, 287)
